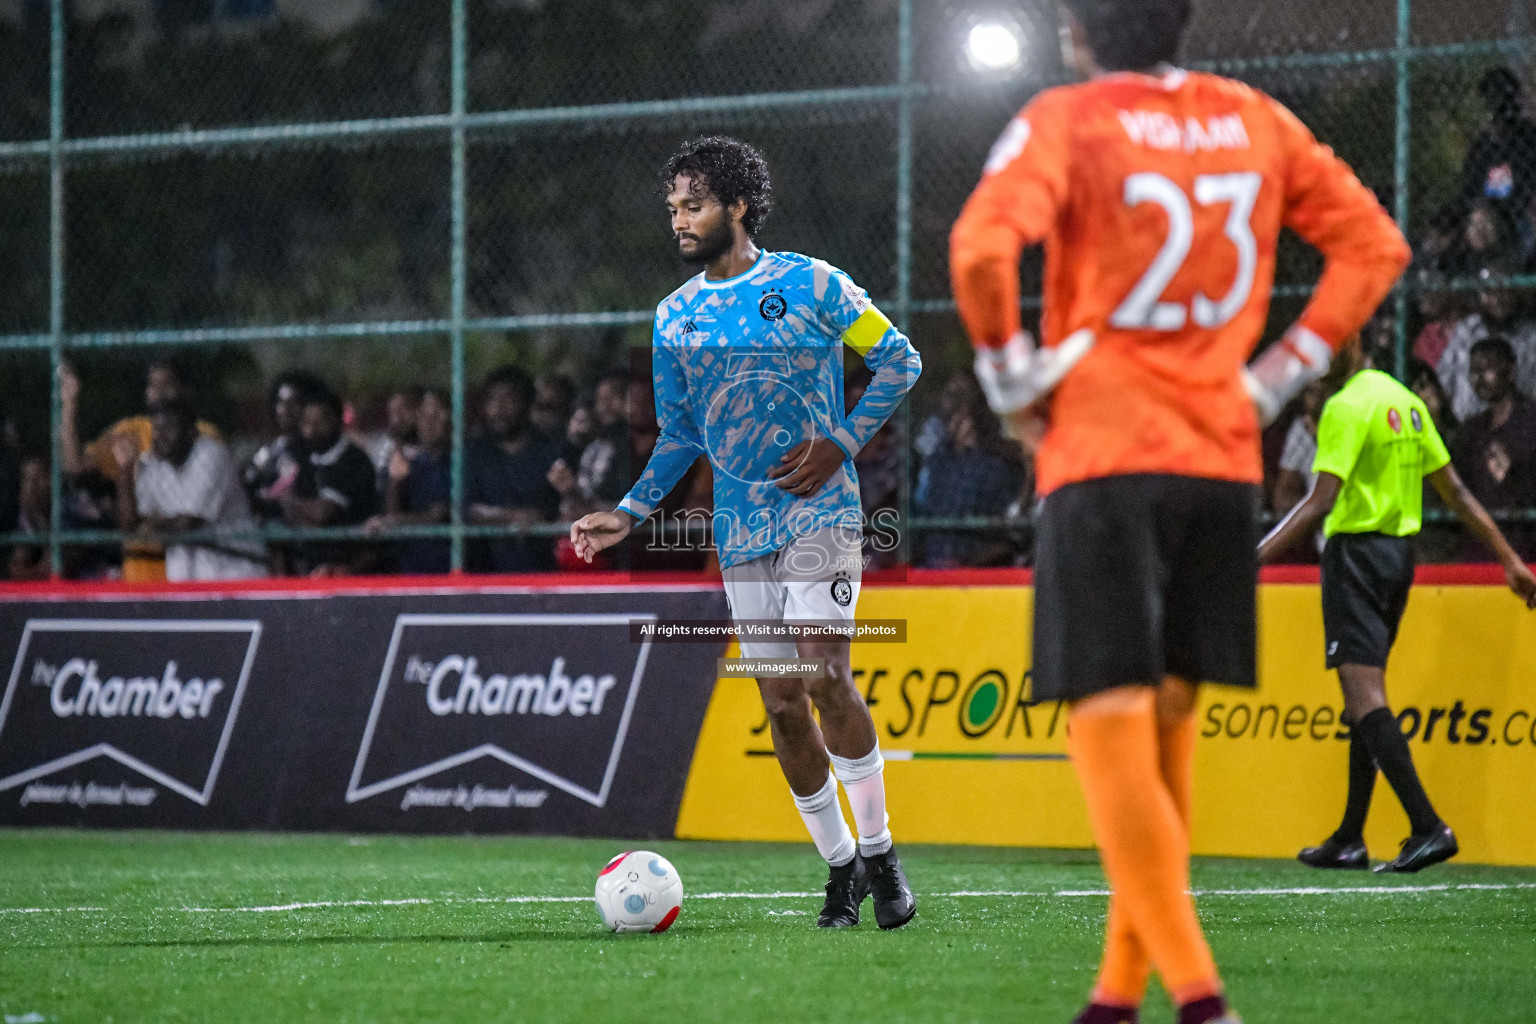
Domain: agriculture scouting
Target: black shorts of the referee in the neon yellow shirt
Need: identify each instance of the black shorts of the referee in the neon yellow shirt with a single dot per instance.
(1366, 583)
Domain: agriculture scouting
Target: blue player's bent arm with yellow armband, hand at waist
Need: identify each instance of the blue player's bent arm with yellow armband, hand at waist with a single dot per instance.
(847, 312)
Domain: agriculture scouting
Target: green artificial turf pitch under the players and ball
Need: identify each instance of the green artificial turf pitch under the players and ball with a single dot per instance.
(465, 954)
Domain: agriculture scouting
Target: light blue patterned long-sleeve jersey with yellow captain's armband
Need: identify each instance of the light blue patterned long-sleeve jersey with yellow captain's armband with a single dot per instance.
(750, 368)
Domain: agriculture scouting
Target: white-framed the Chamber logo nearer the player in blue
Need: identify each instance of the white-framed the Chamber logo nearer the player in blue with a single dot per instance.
(546, 695)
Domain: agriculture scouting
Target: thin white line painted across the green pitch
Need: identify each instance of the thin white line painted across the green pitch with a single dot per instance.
(985, 894)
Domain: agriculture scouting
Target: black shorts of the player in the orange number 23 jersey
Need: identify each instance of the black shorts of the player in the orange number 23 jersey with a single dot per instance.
(1145, 576)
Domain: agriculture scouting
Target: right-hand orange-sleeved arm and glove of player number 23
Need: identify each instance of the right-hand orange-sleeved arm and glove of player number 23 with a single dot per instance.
(1365, 254)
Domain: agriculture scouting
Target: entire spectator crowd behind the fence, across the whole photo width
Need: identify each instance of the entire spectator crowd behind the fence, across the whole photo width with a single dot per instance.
(543, 451)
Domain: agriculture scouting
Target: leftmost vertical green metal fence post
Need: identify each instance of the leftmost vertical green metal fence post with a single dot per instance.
(56, 279)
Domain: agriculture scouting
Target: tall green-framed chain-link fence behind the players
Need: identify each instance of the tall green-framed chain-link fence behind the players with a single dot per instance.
(417, 191)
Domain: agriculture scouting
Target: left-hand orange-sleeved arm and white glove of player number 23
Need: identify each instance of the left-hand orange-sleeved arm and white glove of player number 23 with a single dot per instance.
(1018, 203)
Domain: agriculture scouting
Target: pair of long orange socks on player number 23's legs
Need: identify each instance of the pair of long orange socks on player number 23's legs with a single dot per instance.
(1136, 779)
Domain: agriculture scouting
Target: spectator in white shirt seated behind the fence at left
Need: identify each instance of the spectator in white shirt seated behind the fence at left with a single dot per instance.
(188, 483)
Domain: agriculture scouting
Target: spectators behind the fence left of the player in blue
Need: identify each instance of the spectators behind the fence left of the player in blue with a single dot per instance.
(193, 506)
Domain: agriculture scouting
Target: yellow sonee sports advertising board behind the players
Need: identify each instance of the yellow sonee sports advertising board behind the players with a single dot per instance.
(970, 759)
